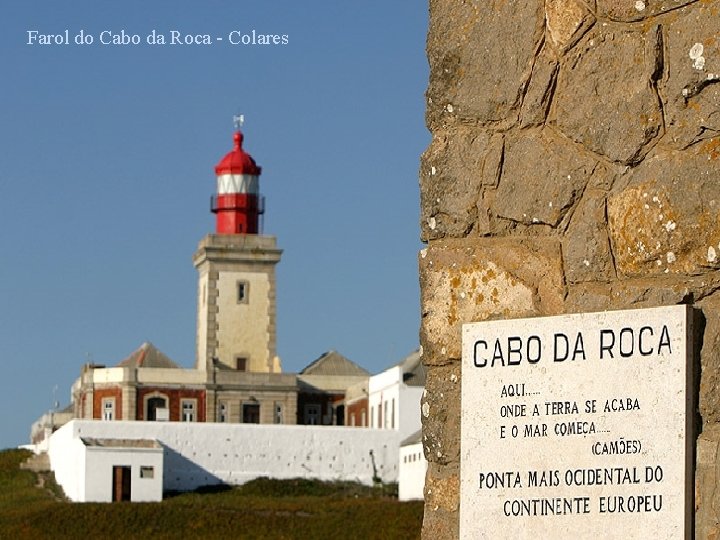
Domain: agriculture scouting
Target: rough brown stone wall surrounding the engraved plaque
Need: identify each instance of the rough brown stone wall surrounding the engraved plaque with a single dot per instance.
(573, 167)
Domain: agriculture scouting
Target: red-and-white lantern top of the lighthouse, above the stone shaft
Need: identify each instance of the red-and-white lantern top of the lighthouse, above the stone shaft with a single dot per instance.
(238, 203)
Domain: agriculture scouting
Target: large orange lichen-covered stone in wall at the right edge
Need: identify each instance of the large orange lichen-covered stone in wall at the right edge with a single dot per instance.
(668, 216)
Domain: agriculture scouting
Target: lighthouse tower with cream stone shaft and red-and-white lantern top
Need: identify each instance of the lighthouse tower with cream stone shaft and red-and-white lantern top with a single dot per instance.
(236, 267)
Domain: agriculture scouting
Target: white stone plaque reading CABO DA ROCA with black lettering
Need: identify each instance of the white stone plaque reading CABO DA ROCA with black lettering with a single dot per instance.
(578, 426)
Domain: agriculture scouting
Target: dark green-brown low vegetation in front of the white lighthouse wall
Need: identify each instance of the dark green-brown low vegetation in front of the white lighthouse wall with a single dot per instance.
(261, 509)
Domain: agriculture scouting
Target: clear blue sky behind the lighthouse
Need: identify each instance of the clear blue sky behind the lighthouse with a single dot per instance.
(107, 164)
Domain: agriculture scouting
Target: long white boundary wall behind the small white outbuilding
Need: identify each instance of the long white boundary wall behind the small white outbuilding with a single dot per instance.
(199, 454)
